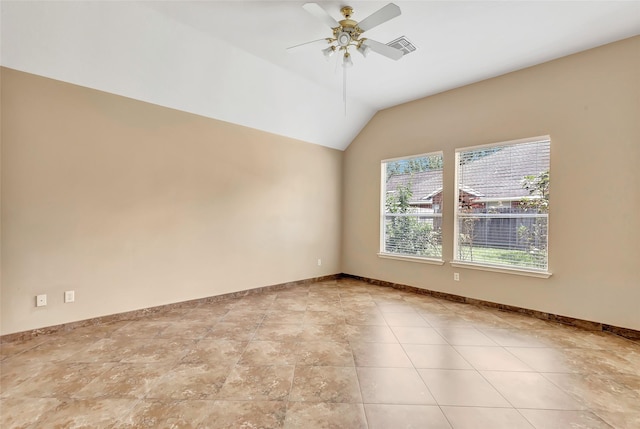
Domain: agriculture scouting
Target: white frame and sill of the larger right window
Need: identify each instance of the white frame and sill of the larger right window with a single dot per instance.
(485, 266)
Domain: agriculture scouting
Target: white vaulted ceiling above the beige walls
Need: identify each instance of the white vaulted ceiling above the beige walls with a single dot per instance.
(227, 59)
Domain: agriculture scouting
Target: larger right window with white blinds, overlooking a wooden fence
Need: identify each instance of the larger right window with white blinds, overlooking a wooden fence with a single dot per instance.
(503, 204)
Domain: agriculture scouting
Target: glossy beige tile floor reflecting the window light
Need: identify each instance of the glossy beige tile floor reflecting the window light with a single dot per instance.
(337, 354)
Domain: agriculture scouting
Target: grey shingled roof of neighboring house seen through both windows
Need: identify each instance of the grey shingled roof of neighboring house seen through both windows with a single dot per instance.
(497, 176)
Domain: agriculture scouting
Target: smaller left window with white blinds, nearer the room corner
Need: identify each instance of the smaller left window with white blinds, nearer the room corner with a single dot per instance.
(412, 207)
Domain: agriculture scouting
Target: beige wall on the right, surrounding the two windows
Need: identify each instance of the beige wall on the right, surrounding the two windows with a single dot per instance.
(589, 104)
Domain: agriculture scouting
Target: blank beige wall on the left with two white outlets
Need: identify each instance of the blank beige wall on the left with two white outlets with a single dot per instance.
(134, 205)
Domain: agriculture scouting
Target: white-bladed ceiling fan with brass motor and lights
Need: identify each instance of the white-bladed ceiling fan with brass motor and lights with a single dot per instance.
(347, 32)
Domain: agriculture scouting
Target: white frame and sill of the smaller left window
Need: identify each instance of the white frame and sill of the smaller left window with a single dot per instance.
(383, 198)
